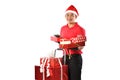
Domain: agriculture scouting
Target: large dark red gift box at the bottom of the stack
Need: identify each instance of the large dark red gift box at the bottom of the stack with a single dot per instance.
(56, 75)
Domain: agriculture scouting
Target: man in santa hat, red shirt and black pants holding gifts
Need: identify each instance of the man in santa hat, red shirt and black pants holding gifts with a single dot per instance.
(73, 55)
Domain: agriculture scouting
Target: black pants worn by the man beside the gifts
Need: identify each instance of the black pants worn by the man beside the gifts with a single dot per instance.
(74, 66)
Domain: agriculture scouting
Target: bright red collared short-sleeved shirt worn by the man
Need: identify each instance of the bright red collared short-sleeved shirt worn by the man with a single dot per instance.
(68, 33)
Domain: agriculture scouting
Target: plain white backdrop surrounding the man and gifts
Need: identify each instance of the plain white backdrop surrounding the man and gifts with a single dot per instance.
(26, 27)
